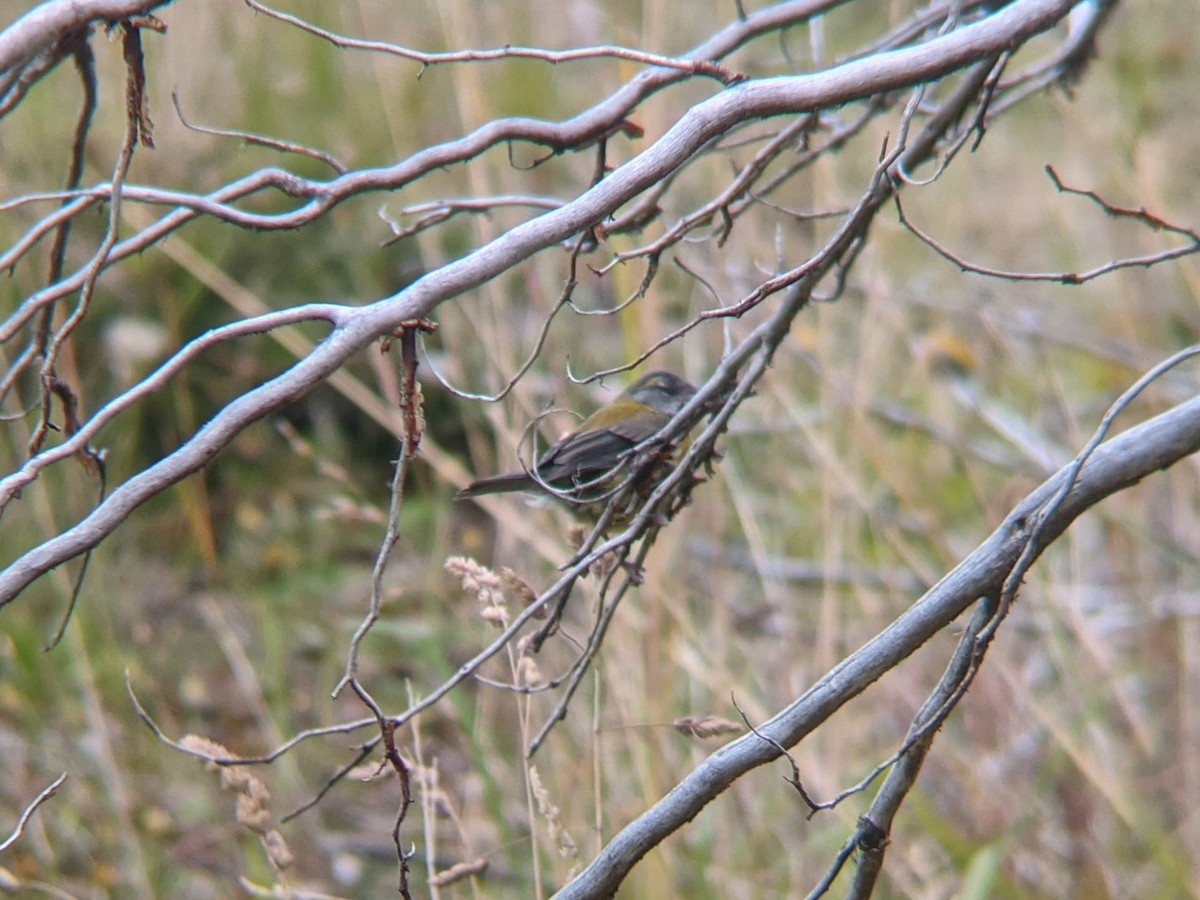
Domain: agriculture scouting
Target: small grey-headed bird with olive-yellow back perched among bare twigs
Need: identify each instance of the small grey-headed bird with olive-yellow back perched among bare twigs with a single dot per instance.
(577, 465)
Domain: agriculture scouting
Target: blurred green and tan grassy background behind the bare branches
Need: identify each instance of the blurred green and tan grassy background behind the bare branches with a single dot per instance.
(895, 433)
